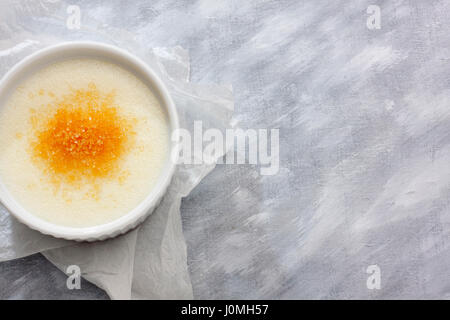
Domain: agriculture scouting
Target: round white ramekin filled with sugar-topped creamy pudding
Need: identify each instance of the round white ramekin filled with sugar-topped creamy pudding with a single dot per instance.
(85, 130)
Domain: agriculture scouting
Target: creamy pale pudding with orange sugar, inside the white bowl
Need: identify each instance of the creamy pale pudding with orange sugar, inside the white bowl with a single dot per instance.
(83, 142)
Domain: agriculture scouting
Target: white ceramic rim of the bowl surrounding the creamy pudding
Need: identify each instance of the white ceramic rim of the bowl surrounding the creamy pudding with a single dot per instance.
(120, 57)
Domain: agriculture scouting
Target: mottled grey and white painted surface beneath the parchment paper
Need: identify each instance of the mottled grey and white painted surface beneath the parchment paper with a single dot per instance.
(364, 121)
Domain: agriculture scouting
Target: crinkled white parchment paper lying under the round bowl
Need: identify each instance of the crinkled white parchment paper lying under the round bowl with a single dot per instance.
(148, 262)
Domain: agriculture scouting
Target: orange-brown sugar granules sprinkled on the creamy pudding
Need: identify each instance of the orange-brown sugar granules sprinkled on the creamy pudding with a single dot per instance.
(84, 137)
